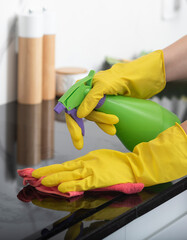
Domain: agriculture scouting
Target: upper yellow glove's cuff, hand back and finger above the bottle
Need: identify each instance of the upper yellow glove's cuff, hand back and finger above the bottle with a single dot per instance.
(140, 78)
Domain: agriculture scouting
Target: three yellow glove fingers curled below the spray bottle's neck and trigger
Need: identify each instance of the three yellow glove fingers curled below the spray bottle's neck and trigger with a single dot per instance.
(104, 121)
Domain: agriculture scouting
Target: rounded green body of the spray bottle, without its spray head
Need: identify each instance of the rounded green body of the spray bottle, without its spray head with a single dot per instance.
(139, 120)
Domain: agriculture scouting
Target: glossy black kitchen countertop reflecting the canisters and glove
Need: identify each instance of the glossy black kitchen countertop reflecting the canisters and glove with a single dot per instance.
(31, 137)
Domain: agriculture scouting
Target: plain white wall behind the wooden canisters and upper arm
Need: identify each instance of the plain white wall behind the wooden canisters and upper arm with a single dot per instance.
(88, 31)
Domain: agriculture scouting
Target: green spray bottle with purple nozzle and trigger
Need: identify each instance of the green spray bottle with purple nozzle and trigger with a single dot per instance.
(139, 120)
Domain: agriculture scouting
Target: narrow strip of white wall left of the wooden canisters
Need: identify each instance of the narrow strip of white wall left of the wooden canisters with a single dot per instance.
(8, 58)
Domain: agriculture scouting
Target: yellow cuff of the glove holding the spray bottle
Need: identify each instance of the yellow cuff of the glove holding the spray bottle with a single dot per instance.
(145, 76)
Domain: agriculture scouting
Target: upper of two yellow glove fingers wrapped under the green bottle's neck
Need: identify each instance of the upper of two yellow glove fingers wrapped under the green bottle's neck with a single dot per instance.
(101, 117)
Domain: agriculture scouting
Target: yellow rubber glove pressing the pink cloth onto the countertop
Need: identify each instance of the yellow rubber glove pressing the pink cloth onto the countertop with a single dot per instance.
(161, 160)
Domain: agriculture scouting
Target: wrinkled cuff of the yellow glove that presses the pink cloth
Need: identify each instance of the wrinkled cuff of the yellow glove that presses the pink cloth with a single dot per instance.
(162, 159)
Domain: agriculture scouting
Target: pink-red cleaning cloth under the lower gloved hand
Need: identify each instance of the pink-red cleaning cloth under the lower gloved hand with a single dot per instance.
(26, 174)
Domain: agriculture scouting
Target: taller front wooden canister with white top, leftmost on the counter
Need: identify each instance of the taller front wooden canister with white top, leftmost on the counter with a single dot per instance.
(30, 40)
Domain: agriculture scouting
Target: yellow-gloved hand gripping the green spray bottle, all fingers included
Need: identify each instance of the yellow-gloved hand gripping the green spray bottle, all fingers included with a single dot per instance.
(141, 78)
